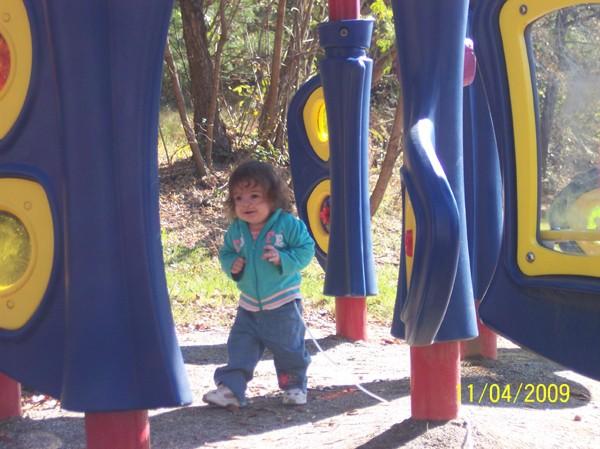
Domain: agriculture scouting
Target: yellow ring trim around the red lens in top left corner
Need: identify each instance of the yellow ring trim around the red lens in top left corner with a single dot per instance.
(15, 28)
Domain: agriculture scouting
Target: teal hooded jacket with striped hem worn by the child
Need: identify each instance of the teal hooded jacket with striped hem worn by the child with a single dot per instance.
(263, 285)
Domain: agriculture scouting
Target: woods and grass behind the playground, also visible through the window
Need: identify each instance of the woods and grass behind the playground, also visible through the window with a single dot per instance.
(232, 67)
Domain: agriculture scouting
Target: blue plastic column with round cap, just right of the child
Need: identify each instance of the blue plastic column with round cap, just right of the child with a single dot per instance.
(346, 78)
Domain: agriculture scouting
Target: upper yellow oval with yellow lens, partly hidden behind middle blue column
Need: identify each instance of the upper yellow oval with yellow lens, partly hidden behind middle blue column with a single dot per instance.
(315, 124)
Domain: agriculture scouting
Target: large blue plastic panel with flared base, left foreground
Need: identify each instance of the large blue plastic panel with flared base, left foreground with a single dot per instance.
(103, 338)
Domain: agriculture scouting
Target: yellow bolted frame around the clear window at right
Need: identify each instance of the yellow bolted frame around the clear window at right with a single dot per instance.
(533, 259)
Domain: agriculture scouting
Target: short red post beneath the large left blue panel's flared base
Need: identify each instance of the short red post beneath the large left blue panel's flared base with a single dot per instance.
(118, 430)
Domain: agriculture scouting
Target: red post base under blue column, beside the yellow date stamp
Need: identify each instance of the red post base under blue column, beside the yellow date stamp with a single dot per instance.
(435, 381)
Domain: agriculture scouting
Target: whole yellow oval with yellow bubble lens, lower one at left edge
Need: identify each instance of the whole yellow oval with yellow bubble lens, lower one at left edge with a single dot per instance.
(27, 250)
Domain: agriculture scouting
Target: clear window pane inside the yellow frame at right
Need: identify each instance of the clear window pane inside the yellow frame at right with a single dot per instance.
(565, 46)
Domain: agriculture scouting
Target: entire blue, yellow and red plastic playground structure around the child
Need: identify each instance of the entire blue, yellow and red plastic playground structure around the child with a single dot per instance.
(84, 310)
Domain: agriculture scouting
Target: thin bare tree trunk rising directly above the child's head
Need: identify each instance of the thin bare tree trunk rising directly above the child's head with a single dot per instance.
(269, 114)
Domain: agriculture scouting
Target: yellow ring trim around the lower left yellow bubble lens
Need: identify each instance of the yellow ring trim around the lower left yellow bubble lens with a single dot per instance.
(27, 201)
